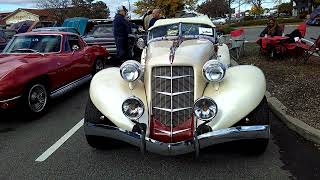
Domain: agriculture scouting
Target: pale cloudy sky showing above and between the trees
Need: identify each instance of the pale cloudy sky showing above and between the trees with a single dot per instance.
(11, 5)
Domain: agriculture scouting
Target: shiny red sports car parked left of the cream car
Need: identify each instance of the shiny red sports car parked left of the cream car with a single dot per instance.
(38, 66)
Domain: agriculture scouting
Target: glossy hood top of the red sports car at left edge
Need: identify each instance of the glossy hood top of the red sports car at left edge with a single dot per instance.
(9, 63)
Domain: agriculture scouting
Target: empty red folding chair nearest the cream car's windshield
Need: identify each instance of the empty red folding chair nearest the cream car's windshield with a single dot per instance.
(237, 43)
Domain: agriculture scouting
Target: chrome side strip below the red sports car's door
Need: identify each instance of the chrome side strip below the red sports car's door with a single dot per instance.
(68, 87)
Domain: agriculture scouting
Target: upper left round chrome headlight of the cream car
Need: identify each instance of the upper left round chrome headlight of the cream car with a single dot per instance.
(131, 70)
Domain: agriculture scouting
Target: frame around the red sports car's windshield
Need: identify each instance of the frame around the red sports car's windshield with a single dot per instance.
(12, 40)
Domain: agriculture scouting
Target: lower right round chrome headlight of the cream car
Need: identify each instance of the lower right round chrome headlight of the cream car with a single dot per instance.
(205, 109)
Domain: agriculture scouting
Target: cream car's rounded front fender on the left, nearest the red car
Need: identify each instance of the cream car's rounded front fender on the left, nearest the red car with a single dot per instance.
(108, 91)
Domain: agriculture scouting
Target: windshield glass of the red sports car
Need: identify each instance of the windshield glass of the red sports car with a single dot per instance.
(34, 44)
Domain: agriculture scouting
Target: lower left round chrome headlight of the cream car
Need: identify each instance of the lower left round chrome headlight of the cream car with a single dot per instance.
(133, 108)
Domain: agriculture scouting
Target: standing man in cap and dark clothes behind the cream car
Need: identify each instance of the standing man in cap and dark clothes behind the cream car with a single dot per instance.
(121, 30)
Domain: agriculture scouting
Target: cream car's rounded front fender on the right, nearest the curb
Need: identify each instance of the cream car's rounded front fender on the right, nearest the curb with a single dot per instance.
(237, 95)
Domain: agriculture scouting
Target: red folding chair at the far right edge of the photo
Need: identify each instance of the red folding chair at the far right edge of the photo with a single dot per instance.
(310, 48)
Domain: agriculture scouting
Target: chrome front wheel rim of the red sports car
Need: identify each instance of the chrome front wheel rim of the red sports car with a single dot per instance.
(37, 98)
